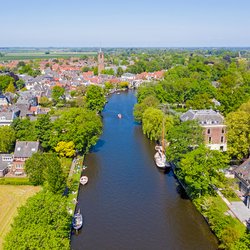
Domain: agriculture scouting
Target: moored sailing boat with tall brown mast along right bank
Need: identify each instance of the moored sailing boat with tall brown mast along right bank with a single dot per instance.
(160, 157)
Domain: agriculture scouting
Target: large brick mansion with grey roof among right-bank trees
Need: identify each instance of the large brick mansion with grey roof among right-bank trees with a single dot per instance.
(213, 124)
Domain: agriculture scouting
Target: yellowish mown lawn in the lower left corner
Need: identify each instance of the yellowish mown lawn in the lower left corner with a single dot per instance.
(12, 197)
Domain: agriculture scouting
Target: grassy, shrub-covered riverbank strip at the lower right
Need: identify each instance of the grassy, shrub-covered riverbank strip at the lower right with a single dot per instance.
(218, 212)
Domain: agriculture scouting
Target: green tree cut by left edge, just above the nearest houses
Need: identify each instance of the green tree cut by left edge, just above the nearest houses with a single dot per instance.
(7, 139)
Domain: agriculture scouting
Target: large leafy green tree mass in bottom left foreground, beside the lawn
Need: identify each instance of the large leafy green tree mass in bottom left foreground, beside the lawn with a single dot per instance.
(47, 216)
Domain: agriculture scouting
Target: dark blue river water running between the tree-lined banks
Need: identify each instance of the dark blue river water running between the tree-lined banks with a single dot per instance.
(128, 203)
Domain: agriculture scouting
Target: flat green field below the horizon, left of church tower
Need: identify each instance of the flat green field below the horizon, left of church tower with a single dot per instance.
(29, 55)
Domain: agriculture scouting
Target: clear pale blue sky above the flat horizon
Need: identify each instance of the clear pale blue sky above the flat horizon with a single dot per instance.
(130, 23)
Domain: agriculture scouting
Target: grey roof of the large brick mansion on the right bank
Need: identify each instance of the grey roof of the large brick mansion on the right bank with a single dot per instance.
(205, 117)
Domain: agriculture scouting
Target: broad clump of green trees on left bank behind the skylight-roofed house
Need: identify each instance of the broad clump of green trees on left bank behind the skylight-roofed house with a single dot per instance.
(81, 126)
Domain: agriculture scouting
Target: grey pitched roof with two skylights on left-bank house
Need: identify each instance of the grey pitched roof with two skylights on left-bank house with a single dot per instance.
(25, 149)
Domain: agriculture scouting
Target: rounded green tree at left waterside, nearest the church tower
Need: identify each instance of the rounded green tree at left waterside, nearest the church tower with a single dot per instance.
(95, 99)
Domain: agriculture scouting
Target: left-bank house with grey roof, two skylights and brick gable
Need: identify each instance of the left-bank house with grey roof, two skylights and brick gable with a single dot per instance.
(23, 151)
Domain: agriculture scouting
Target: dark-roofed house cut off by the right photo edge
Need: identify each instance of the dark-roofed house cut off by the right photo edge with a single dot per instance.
(242, 173)
